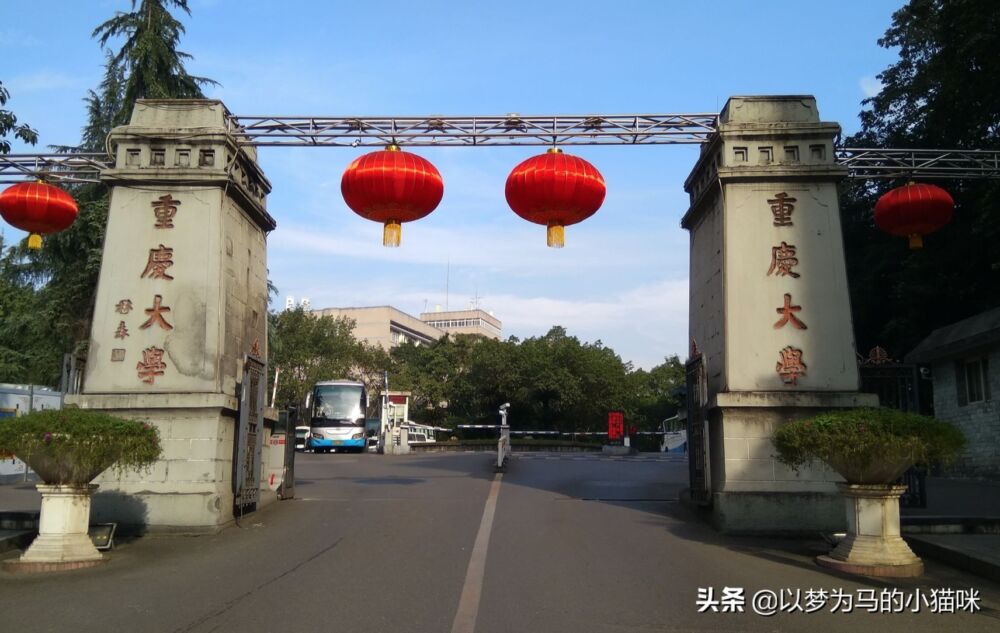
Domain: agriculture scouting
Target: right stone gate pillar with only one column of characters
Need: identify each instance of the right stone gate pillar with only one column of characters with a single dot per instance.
(769, 308)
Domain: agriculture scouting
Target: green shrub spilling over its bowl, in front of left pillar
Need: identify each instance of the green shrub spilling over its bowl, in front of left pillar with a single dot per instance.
(73, 446)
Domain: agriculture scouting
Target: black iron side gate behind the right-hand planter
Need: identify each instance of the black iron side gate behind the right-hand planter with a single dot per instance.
(898, 387)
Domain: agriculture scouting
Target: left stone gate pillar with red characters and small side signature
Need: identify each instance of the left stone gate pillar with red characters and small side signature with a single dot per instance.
(181, 301)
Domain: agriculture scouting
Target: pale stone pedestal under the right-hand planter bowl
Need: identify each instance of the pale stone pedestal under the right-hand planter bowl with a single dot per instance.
(873, 545)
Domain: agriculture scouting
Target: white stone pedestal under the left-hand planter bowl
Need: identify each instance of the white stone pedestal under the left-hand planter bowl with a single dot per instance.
(62, 541)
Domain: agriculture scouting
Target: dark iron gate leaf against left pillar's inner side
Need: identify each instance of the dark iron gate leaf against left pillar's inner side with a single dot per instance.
(249, 438)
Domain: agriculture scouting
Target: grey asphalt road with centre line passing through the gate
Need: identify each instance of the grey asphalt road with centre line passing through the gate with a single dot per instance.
(371, 543)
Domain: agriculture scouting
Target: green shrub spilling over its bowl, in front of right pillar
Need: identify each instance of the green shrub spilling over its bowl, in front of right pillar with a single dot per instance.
(868, 445)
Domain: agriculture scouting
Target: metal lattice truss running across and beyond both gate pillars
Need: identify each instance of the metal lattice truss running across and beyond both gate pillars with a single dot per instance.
(512, 129)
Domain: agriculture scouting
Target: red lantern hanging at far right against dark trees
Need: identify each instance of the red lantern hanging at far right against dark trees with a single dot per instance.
(914, 210)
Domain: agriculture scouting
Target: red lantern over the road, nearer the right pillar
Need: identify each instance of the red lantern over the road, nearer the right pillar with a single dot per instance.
(556, 190)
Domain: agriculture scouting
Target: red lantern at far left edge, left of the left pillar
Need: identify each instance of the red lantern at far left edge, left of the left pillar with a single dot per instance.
(37, 207)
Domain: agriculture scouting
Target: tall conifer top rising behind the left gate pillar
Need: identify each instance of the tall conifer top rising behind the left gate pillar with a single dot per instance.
(152, 66)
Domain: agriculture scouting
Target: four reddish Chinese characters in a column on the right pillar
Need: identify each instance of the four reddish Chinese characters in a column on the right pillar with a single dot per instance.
(790, 366)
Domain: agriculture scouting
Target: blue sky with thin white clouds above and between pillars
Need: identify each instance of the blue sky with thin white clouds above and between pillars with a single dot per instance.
(622, 277)
